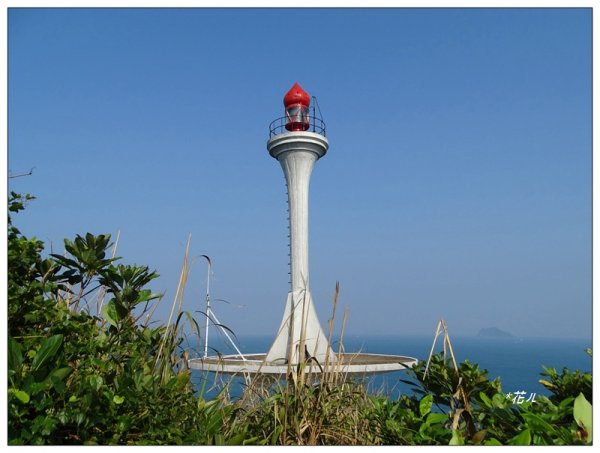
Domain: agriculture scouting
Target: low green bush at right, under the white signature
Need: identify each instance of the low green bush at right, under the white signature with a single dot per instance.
(478, 412)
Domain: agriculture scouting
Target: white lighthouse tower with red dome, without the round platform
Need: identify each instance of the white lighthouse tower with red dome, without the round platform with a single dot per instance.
(298, 149)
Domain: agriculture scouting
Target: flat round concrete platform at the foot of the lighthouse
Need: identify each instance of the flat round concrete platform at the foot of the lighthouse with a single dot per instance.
(348, 363)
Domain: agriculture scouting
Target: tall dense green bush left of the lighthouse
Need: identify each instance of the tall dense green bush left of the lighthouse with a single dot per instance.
(75, 378)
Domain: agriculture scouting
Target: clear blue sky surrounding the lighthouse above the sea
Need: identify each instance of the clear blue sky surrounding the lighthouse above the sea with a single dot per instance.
(457, 184)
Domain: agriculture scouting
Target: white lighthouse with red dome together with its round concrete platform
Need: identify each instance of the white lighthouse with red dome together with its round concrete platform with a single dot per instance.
(298, 141)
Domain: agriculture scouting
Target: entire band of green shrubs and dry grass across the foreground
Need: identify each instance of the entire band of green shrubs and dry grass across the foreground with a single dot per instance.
(83, 369)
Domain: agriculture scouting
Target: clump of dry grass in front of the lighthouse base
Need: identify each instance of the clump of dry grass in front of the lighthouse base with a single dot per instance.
(306, 407)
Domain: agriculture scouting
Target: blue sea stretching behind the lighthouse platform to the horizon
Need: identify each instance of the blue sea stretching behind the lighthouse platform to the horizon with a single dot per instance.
(518, 362)
